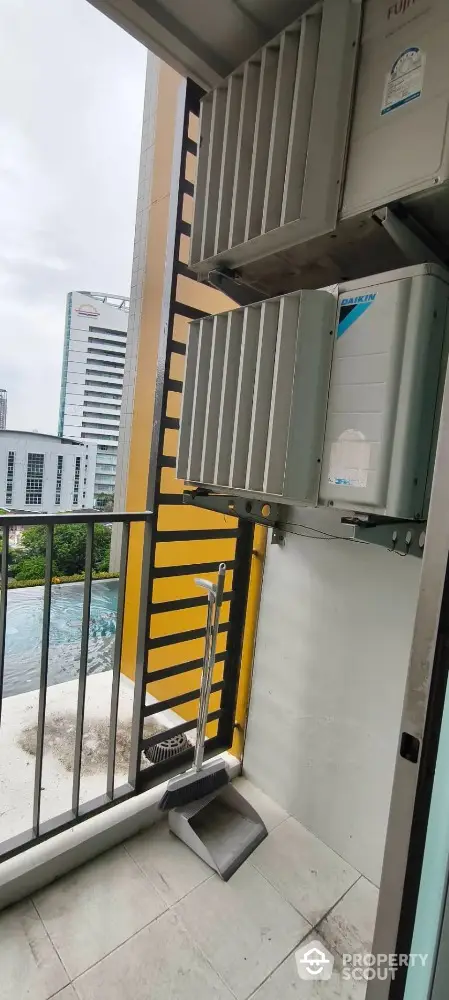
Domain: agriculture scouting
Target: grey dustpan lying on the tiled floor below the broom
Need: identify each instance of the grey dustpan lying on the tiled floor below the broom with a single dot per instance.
(222, 828)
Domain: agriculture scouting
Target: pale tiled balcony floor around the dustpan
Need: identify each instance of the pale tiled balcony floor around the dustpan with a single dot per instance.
(149, 920)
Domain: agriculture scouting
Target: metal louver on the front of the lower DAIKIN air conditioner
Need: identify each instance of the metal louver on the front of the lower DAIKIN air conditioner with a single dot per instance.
(255, 392)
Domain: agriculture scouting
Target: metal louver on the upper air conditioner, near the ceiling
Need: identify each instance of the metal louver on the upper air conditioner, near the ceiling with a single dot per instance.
(273, 142)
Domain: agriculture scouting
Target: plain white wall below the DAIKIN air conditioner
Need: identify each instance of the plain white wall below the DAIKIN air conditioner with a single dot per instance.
(331, 659)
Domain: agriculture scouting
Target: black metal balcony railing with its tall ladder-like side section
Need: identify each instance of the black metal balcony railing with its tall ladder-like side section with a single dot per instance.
(153, 755)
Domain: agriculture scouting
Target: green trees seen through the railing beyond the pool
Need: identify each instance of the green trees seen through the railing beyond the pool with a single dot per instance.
(69, 550)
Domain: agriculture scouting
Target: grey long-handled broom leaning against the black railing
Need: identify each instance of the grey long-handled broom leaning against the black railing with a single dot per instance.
(202, 779)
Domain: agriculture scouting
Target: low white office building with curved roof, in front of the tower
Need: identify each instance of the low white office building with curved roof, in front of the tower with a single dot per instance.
(42, 472)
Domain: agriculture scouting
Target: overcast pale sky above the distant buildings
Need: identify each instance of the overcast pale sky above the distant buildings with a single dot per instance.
(71, 101)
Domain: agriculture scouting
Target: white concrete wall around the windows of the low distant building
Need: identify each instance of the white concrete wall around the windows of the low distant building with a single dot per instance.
(22, 444)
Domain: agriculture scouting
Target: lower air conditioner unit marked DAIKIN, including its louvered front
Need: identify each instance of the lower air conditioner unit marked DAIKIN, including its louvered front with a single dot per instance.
(321, 397)
